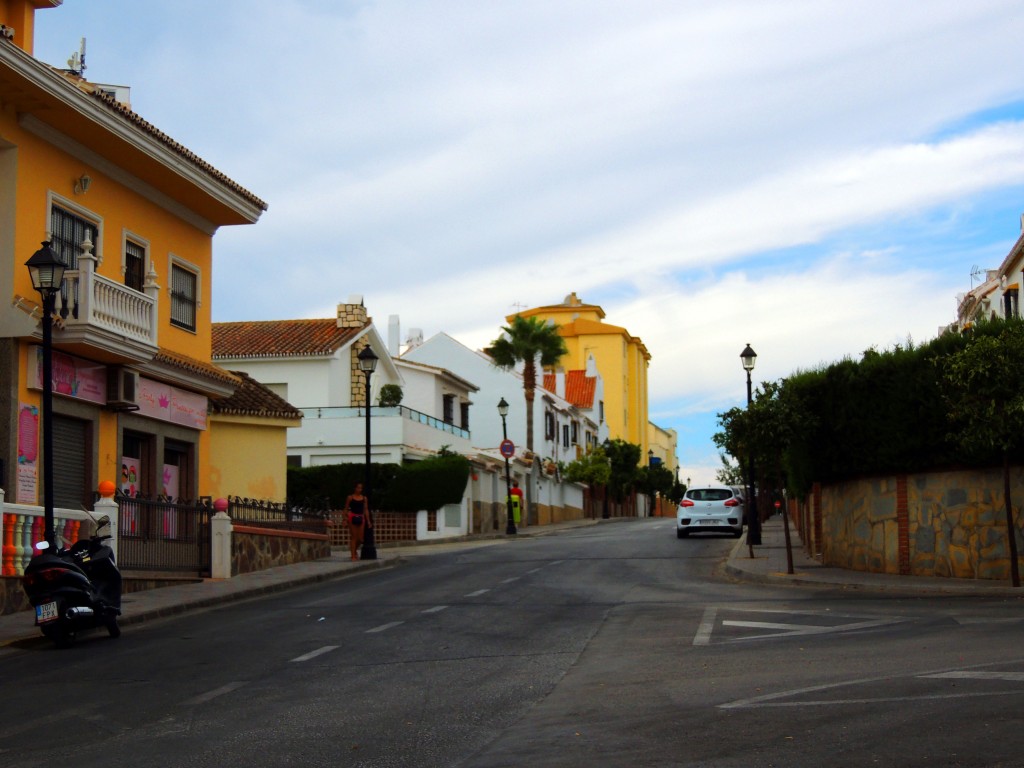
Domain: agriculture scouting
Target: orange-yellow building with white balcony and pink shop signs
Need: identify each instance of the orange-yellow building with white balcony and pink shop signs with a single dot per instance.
(133, 214)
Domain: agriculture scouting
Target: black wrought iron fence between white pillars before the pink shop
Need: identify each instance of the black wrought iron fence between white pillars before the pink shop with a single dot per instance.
(163, 534)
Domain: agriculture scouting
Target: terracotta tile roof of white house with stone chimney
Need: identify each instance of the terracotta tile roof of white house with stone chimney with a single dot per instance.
(280, 338)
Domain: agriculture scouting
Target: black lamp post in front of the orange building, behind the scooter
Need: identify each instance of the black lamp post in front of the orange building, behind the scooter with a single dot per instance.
(48, 272)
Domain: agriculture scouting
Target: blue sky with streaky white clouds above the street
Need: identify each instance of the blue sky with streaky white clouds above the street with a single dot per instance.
(814, 178)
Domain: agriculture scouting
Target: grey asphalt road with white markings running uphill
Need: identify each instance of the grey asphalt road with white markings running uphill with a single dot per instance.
(612, 646)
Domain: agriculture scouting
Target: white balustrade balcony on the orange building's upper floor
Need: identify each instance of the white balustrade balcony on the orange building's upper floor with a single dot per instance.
(103, 315)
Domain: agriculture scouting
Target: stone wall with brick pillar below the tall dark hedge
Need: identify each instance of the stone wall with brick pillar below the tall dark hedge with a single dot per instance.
(936, 524)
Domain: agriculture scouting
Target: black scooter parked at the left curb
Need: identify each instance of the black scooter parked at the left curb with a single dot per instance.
(75, 589)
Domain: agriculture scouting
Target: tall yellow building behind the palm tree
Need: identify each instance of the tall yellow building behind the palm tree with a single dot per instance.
(622, 359)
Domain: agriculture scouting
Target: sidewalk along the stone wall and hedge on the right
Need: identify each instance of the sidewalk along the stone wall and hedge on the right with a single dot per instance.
(770, 567)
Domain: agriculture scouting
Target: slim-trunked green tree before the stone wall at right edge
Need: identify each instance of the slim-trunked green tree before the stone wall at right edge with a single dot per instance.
(986, 400)
